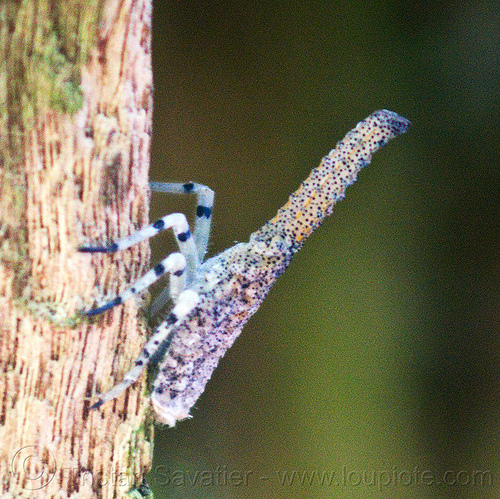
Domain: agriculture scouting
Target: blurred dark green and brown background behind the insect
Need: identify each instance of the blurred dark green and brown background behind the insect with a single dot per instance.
(373, 365)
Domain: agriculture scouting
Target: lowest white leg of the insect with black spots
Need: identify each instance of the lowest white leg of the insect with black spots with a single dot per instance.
(187, 302)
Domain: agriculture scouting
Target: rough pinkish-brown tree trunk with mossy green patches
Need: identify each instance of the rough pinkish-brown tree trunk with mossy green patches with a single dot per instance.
(75, 123)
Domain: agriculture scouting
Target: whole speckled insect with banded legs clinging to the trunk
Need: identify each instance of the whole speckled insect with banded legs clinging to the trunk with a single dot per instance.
(214, 299)
